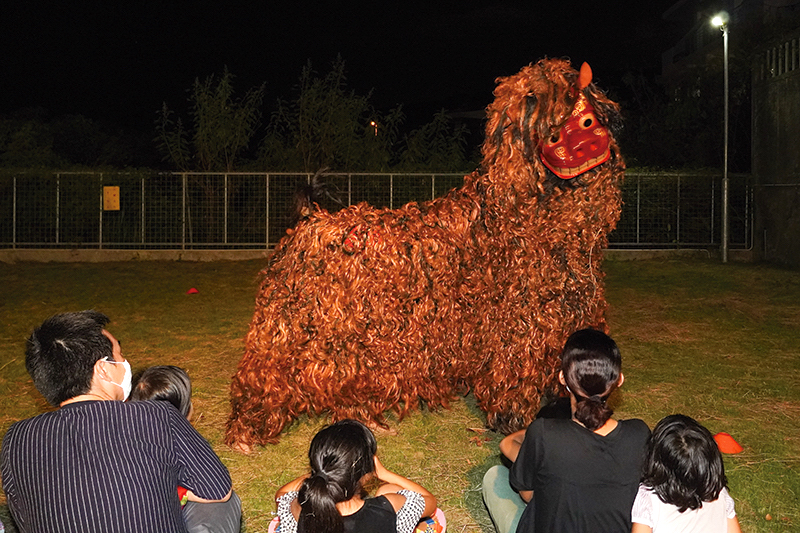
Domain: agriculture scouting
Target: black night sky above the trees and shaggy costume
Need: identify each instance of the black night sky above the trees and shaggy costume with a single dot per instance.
(118, 61)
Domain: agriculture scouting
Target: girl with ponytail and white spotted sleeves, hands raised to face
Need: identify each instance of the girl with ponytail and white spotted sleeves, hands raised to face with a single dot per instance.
(331, 498)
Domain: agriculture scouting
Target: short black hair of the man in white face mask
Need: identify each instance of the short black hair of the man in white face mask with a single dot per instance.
(61, 353)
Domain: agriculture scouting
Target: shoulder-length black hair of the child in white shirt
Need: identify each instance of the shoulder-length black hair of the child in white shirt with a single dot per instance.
(683, 465)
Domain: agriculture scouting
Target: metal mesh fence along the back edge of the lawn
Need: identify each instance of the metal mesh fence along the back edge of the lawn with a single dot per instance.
(253, 210)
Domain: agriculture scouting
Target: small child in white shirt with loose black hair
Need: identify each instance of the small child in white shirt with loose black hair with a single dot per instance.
(683, 487)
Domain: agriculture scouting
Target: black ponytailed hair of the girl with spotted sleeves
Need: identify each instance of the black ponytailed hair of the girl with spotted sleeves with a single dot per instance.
(340, 456)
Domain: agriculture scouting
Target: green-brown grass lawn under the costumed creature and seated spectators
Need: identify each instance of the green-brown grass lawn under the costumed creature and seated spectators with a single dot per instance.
(717, 342)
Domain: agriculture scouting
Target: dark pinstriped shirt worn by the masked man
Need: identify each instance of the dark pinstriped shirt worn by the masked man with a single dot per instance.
(107, 466)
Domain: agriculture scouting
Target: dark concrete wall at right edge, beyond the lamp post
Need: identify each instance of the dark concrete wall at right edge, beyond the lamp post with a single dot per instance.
(776, 152)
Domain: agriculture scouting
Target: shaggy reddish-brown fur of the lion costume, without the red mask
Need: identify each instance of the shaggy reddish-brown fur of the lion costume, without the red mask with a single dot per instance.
(367, 310)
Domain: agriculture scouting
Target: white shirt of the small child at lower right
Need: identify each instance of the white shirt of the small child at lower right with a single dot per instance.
(662, 517)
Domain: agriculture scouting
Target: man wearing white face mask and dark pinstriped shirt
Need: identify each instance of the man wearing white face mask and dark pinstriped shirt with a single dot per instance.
(97, 463)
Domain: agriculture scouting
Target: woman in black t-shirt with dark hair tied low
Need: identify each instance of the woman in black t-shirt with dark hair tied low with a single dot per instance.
(575, 475)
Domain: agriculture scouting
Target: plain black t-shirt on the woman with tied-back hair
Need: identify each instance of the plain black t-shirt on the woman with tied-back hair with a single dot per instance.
(582, 482)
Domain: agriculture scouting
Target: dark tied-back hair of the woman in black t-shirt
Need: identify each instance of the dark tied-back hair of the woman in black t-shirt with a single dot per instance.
(591, 364)
